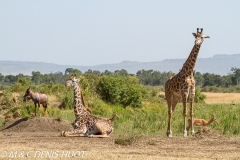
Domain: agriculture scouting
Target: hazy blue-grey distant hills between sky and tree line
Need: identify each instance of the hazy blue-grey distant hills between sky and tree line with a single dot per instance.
(218, 64)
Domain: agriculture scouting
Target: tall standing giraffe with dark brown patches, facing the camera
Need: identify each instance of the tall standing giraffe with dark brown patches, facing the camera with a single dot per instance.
(183, 85)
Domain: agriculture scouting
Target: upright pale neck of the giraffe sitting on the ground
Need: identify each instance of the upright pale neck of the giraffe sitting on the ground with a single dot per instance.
(79, 106)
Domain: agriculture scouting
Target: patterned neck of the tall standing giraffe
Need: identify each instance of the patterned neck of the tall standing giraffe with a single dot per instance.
(189, 64)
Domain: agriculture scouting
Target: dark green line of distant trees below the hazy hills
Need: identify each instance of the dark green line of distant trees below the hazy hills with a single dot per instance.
(145, 77)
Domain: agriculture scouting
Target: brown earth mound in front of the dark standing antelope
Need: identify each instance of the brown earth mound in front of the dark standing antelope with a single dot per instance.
(35, 124)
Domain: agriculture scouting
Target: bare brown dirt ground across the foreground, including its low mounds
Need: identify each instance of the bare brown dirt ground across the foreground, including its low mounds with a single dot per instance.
(39, 138)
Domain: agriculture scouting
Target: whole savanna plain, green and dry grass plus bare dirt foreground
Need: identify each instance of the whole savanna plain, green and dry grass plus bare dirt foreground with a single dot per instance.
(139, 133)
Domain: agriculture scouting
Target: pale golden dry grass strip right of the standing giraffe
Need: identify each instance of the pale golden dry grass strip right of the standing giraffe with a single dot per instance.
(217, 98)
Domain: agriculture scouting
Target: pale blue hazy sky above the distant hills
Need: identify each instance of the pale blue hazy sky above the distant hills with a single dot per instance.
(85, 32)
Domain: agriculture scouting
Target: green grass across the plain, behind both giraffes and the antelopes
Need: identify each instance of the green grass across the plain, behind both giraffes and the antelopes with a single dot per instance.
(150, 119)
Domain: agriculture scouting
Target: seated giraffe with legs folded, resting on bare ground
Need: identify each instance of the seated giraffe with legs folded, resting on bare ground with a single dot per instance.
(85, 122)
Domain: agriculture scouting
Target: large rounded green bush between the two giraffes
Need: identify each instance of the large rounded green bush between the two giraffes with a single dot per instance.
(123, 90)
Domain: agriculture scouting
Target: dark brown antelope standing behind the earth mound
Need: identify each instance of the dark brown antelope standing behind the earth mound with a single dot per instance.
(37, 98)
